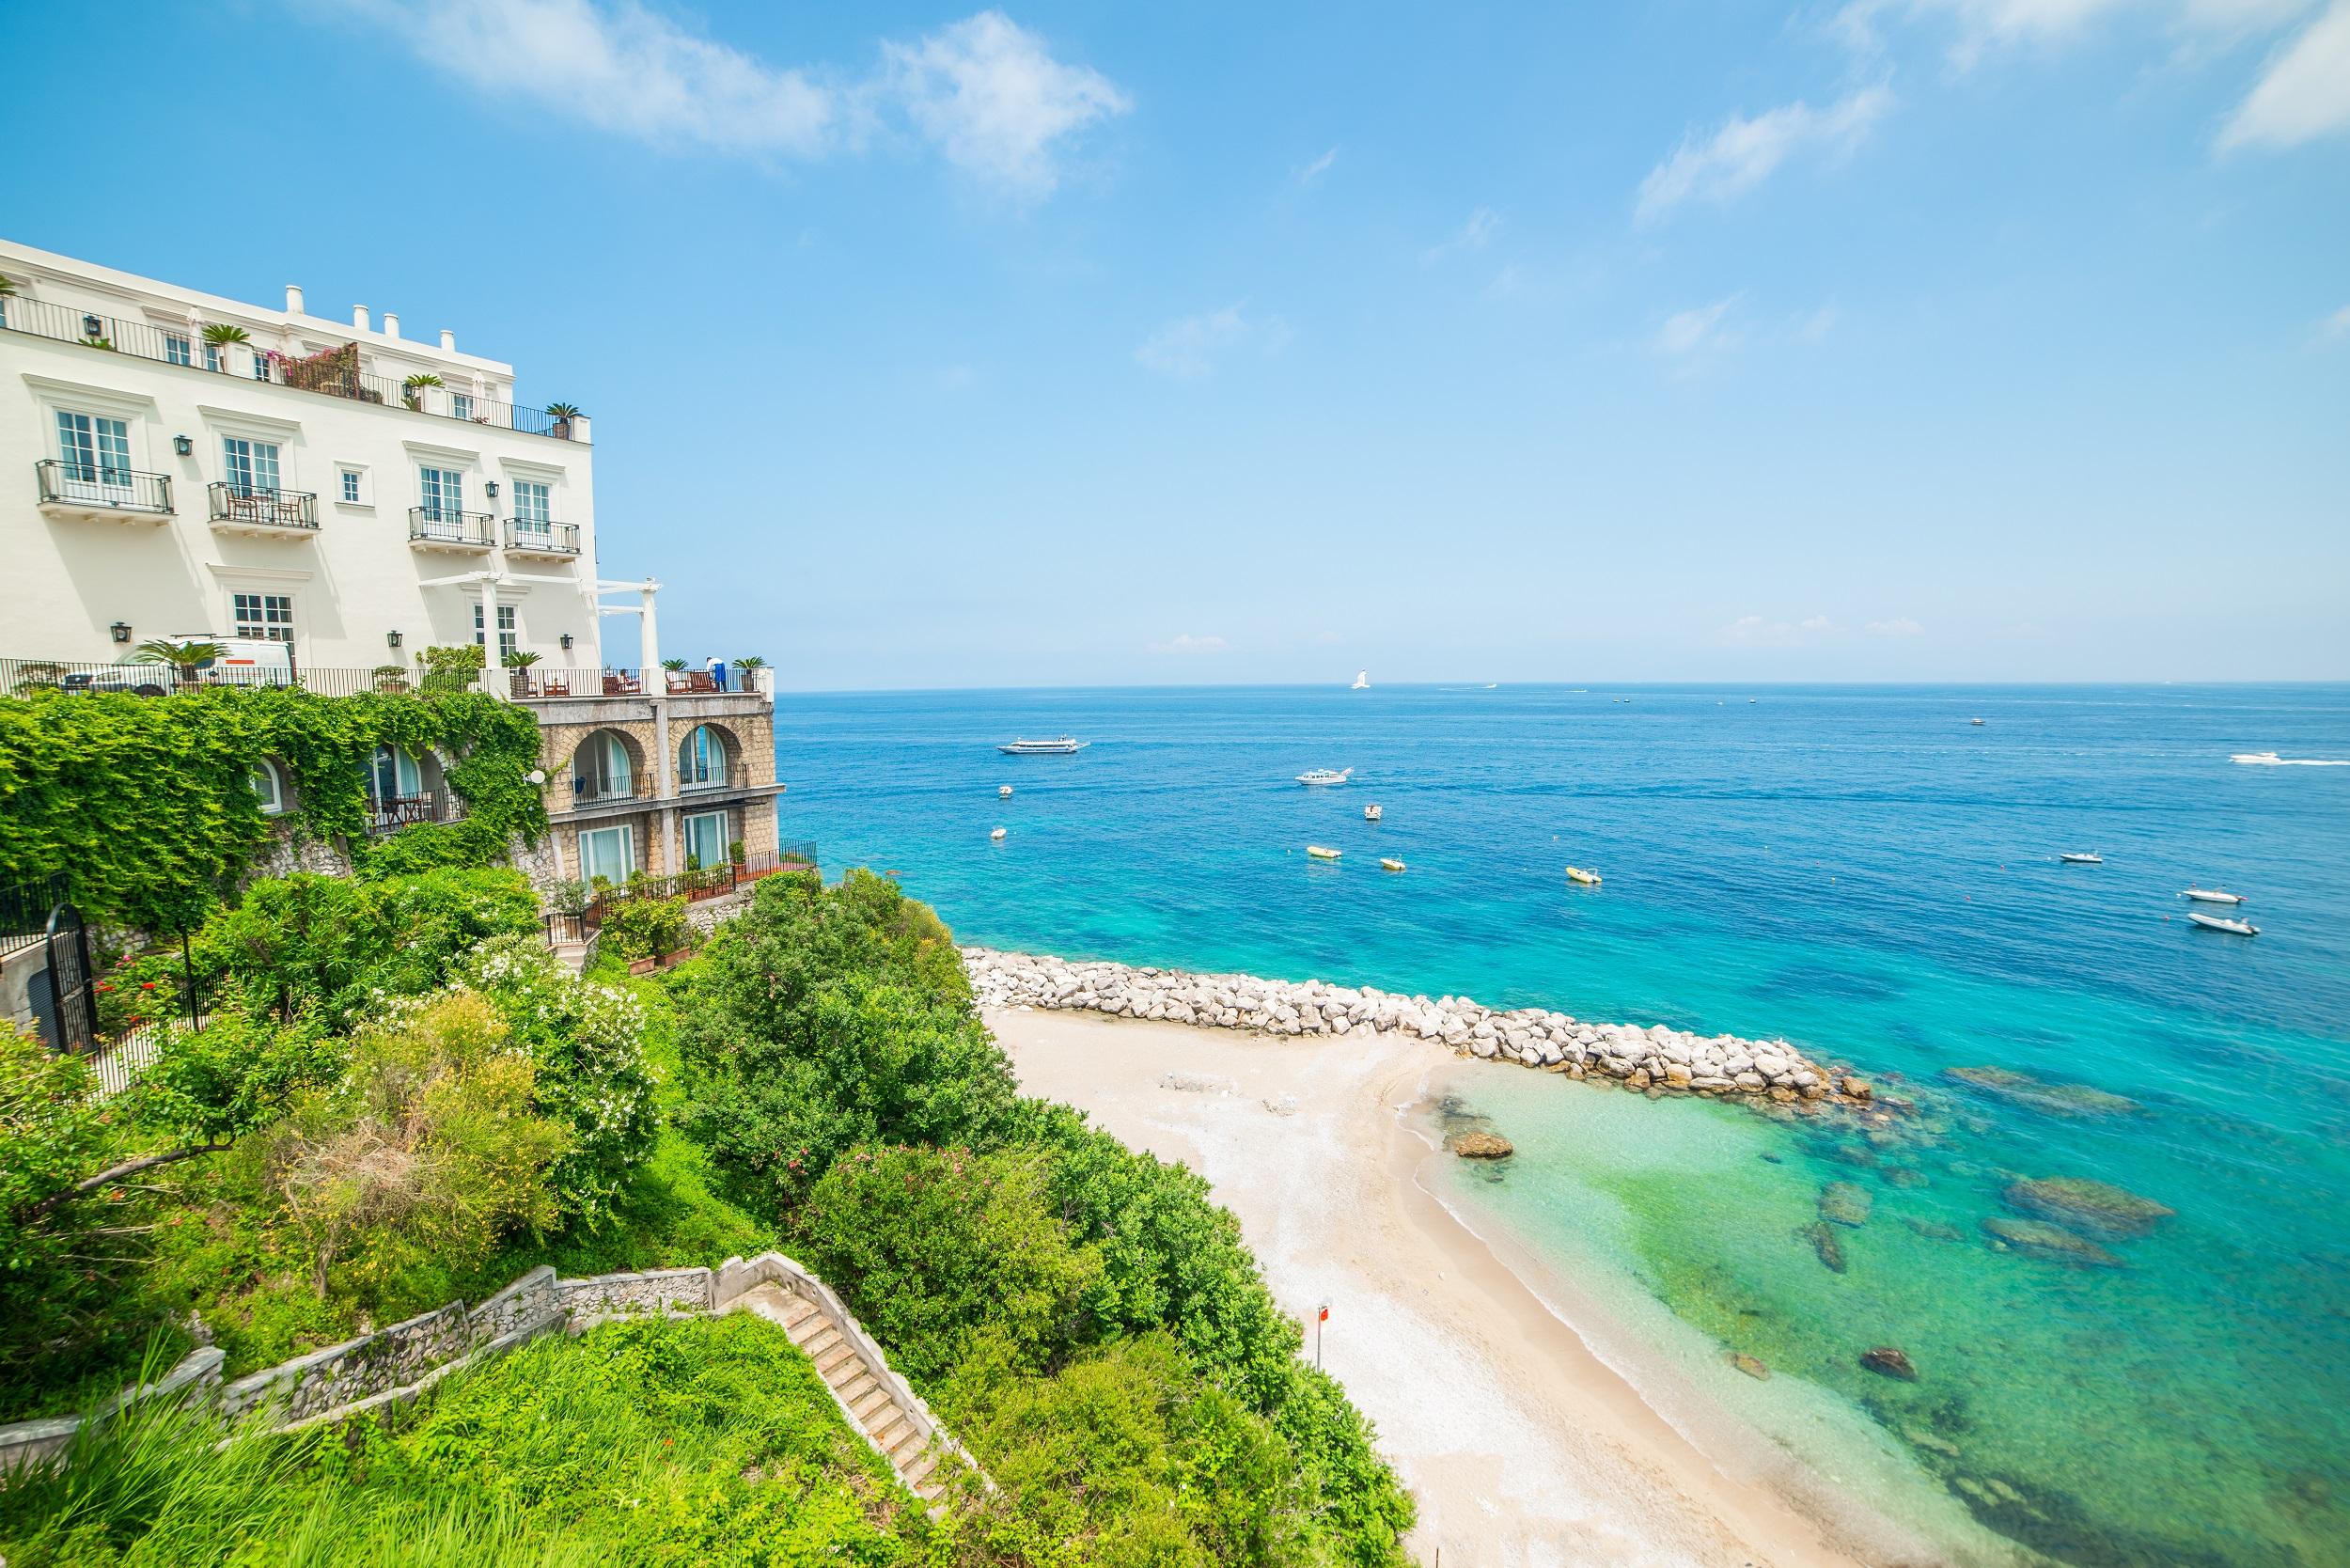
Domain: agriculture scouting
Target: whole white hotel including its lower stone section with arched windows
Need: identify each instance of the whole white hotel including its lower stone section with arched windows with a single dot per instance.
(184, 467)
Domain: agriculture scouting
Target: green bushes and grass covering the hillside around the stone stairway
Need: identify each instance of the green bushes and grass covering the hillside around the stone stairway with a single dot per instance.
(405, 1101)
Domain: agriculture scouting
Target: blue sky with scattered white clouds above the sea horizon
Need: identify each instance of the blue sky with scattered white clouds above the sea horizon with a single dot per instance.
(1099, 344)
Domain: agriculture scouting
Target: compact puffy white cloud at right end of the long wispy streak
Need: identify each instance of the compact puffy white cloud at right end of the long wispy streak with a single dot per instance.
(995, 100)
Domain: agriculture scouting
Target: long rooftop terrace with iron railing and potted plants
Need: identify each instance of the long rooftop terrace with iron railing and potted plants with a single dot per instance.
(333, 373)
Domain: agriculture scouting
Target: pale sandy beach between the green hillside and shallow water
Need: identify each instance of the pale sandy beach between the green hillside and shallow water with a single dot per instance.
(1519, 1442)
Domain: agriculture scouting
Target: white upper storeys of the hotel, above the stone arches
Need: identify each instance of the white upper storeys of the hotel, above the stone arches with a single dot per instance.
(175, 464)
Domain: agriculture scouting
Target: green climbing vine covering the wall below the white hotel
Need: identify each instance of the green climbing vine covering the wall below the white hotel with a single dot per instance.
(147, 805)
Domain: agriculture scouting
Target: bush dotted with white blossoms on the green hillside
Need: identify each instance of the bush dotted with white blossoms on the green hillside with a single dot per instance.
(589, 1050)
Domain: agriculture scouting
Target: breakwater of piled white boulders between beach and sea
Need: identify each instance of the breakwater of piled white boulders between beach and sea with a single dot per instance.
(1651, 1057)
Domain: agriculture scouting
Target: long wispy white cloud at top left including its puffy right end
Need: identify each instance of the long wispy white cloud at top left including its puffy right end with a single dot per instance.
(986, 93)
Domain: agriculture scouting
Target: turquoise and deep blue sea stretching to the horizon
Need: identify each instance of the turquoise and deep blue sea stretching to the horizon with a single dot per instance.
(1860, 871)
